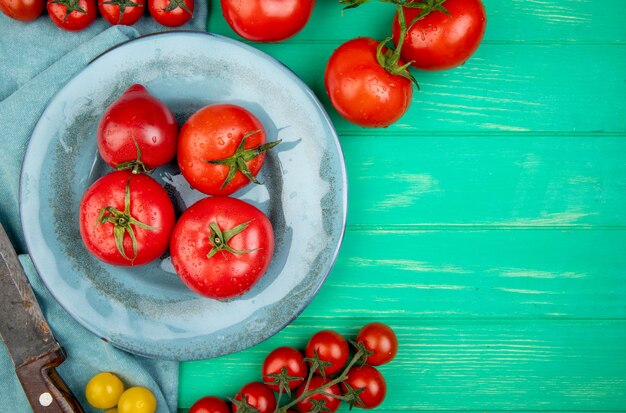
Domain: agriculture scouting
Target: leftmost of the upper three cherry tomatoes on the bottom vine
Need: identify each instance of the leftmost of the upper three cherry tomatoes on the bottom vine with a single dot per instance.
(290, 359)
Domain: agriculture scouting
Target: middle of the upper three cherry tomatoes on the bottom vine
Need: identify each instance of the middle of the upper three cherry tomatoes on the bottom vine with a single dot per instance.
(331, 347)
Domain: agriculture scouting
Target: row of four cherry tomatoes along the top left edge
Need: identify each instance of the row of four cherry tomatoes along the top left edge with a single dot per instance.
(76, 15)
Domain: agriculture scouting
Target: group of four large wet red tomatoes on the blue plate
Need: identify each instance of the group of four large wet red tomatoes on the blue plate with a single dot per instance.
(220, 246)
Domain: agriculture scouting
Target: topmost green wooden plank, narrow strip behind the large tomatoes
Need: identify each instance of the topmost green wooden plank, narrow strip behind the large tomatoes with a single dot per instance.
(509, 21)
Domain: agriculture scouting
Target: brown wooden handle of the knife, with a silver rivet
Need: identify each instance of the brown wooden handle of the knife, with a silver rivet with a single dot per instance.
(44, 388)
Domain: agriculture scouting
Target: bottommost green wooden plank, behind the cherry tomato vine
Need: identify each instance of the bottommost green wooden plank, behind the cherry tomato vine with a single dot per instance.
(461, 365)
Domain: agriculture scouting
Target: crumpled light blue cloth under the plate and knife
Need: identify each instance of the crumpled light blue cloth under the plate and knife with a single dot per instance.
(36, 60)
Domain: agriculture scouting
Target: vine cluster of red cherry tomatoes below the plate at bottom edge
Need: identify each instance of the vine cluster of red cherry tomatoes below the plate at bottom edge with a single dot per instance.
(319, 378)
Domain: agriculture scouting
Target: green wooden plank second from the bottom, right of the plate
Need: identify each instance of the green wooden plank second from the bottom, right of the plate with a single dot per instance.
(477, 274)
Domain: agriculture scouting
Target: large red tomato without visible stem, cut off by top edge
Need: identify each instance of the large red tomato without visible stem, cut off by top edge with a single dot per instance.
(267, 20)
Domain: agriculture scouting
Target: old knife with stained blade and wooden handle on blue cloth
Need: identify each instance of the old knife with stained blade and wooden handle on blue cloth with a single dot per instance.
(32, 347)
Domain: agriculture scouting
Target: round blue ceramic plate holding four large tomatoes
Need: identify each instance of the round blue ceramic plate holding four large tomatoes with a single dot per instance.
(148, 310)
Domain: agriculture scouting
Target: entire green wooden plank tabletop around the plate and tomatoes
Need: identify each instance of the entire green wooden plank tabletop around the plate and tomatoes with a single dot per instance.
(488, 226)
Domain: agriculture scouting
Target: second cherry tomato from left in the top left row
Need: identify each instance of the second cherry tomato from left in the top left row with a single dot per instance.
(72, 15)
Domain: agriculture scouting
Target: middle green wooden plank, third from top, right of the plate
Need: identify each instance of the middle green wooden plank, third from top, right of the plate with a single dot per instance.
(510, 181)
